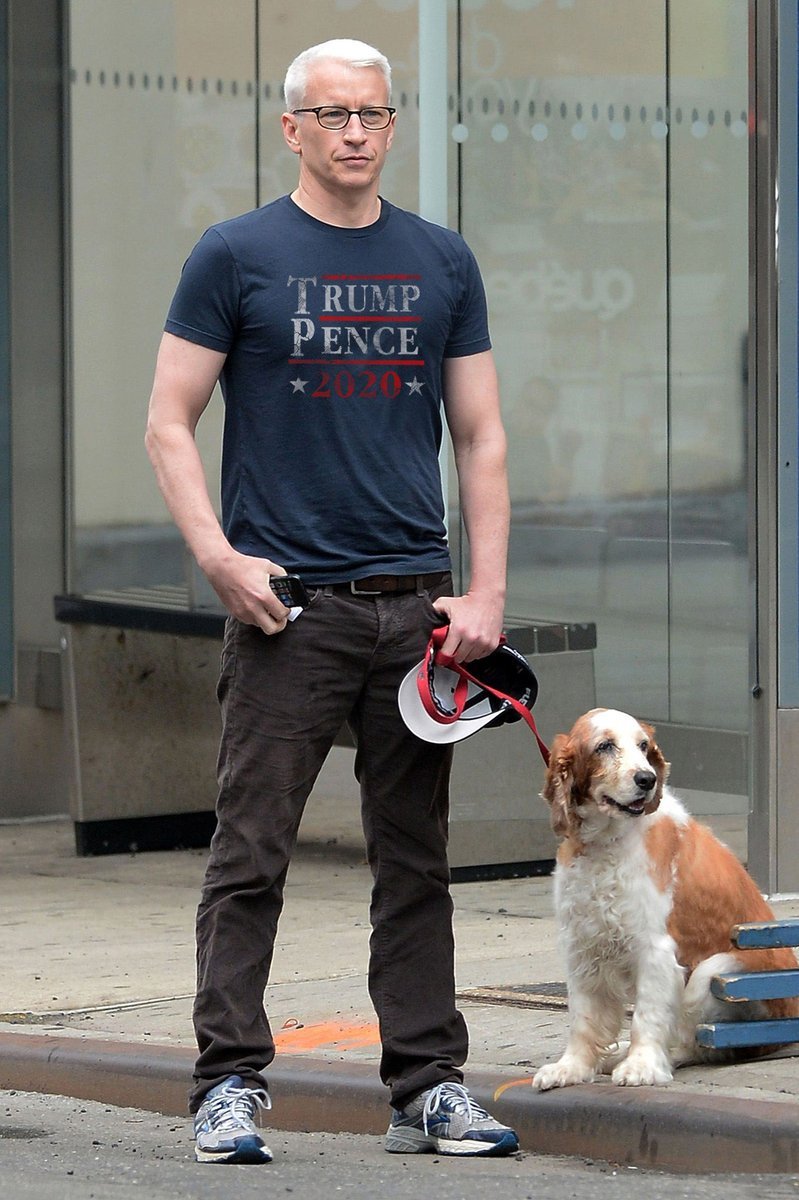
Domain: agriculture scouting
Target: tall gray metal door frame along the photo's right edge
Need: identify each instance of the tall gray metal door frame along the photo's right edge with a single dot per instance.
(774, 451)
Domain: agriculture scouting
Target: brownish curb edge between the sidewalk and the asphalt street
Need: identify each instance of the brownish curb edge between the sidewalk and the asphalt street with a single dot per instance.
(665, 1129)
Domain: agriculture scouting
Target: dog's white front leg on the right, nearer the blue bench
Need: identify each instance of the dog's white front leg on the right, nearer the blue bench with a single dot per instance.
(654, 1021)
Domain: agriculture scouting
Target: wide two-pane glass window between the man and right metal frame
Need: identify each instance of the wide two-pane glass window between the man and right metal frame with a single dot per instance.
(616, 257)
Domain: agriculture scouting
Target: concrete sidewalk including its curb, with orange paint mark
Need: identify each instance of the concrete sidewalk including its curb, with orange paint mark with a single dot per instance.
(98, 987)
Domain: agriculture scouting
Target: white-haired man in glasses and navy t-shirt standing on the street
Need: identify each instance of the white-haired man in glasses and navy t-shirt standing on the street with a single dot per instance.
(335, 323)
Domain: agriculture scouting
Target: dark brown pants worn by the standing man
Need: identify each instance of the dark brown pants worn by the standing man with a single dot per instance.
(284, 701)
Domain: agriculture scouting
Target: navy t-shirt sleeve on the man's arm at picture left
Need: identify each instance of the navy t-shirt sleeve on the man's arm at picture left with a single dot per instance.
(206, 305)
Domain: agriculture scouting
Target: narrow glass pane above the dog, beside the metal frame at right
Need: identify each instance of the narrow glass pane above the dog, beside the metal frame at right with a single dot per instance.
(708, 310)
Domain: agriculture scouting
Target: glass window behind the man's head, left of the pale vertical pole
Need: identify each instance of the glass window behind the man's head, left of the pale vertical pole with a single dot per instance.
(175, 125)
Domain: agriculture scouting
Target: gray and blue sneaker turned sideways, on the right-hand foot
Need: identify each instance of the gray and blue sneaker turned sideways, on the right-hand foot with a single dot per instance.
(447, 1120)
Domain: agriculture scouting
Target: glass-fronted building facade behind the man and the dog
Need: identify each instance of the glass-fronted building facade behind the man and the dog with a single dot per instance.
(615, 169)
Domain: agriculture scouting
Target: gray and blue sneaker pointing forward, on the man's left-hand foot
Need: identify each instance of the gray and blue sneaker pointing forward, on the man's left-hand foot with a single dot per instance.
(225, 1130)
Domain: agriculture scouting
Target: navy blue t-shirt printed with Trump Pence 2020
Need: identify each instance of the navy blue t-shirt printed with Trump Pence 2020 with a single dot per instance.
(333, 382)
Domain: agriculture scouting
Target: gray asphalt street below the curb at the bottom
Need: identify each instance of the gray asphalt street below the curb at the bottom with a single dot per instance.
(59, 1149)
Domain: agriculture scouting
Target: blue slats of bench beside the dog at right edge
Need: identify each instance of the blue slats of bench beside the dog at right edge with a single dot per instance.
(756, 986)
